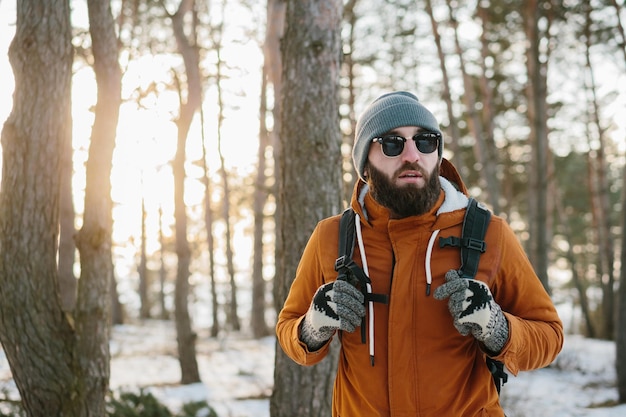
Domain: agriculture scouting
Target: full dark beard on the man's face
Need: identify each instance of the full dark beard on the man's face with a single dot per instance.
(407, 200)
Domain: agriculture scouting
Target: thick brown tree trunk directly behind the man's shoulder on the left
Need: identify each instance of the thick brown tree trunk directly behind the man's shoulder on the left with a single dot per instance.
(310, 180)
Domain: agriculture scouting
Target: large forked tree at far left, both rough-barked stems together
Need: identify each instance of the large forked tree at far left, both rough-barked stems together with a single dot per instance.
(67, 375)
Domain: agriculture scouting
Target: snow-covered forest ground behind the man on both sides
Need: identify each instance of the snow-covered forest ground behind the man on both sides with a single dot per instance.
(237, 375)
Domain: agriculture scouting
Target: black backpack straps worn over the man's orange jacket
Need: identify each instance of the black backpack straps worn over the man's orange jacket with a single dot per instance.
(471, 243)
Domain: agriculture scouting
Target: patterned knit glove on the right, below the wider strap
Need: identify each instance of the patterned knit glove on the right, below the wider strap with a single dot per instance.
(474, 310)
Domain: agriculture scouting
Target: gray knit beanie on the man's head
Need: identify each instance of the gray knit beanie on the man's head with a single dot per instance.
(387, 112)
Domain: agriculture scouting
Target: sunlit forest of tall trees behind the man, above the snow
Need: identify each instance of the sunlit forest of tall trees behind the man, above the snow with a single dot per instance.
(174, 175)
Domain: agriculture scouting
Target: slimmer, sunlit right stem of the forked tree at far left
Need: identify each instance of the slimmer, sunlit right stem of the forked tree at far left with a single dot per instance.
(94, 239)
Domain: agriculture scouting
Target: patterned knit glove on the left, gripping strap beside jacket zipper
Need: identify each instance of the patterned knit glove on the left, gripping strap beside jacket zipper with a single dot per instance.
(337, 305)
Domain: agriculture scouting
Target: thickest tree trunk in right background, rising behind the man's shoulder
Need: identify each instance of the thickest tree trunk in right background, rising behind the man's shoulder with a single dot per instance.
(536, 94)
